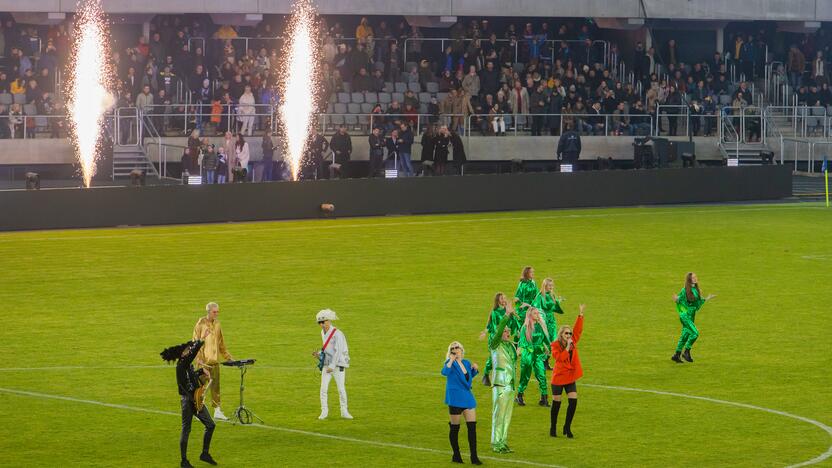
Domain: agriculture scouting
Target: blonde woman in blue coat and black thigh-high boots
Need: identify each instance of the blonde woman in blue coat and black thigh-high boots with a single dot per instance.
(460, 375)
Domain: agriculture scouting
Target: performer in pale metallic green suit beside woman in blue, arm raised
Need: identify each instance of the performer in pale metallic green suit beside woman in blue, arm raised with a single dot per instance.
(504, 356)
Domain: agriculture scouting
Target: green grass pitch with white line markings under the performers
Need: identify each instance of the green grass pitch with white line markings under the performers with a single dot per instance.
(85, 314)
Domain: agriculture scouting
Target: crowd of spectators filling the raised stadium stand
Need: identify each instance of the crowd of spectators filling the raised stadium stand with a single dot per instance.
(541, 77)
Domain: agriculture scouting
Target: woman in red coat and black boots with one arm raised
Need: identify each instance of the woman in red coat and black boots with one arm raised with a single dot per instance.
(567, 371)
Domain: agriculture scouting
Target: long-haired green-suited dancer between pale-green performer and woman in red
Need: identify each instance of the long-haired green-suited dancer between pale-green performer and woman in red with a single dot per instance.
(534, 343)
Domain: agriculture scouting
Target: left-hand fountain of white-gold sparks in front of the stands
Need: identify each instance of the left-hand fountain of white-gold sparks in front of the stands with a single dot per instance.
(88, 84)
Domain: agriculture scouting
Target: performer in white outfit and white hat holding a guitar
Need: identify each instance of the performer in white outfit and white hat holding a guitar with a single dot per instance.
(336, 359)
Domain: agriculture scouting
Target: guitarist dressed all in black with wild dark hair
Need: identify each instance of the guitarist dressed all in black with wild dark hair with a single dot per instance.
(187, 380)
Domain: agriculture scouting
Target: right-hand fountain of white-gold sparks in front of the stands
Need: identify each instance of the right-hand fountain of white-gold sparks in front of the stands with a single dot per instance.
(299, 82)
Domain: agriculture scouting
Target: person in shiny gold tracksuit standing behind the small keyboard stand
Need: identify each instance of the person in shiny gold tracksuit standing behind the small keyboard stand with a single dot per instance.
(208, 357)
